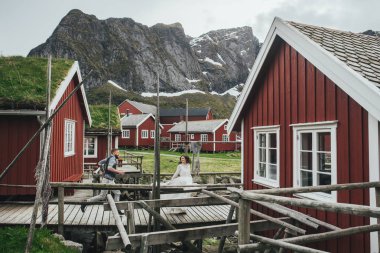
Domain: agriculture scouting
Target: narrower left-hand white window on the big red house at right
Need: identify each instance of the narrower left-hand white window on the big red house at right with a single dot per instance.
(266, 157)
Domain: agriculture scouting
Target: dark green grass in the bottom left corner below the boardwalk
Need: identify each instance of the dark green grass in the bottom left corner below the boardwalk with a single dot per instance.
(14, 240)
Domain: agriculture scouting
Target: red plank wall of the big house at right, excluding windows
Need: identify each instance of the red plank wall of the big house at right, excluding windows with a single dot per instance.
(293, 91)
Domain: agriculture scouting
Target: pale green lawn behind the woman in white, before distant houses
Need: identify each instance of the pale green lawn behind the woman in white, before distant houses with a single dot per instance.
(219, 162)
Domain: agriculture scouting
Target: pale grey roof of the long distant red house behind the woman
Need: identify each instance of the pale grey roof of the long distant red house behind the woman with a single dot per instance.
(198, 126)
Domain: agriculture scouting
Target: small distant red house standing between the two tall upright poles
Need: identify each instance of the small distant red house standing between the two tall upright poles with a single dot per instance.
(137, 130)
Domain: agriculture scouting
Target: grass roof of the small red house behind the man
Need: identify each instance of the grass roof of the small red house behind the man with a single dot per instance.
(99, 115)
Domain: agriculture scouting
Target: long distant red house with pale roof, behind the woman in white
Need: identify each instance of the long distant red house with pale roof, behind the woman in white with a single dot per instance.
(212, 133)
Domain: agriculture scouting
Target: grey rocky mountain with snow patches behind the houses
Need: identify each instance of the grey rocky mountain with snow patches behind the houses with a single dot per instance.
(132, 54)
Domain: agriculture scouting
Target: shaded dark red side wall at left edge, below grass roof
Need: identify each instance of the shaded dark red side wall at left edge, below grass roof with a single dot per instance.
(15, 132)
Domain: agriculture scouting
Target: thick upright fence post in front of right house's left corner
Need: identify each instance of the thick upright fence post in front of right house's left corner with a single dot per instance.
(244, 221)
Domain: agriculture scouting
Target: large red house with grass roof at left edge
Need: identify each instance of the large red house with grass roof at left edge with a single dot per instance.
(22, 113)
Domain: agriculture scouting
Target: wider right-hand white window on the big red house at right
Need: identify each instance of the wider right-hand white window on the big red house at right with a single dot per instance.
(315, 157)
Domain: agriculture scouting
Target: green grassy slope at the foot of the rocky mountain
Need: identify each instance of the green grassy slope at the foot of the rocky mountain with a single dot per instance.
(221, 106)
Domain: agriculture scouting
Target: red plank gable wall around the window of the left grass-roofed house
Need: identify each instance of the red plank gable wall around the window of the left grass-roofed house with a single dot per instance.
(63, 167)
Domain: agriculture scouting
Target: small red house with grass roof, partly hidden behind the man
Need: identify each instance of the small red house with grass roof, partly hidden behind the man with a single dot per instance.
(96, 138)
